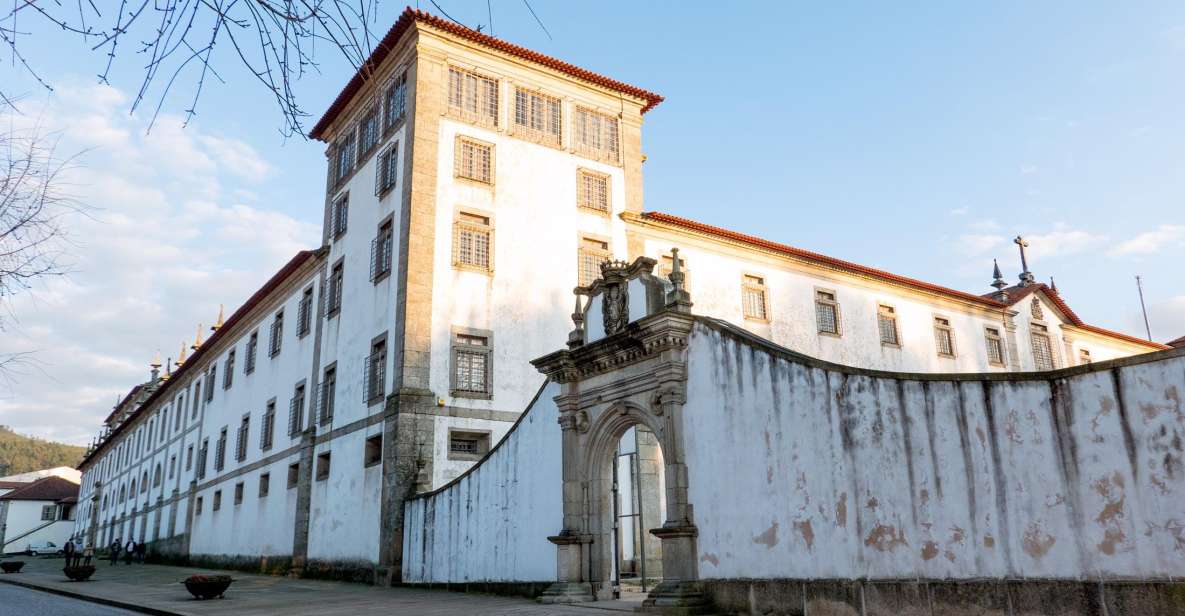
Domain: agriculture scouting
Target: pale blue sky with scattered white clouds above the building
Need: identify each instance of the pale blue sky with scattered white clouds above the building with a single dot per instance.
(917, 138)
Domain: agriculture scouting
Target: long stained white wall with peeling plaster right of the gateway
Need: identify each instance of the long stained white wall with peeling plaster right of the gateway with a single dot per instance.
(848, 476)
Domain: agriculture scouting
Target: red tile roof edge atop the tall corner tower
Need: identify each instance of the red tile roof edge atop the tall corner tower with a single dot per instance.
(412, 16)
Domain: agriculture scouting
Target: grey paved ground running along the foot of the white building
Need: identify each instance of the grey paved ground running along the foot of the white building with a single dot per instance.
(157, 589)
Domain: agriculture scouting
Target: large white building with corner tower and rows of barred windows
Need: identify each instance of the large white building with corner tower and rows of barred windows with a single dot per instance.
(472, 184)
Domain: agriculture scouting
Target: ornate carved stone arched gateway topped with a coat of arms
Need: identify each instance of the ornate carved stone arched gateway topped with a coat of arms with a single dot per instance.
(625, 368)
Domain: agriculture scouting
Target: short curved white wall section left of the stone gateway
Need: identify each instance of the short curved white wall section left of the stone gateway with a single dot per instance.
(492, 524)
